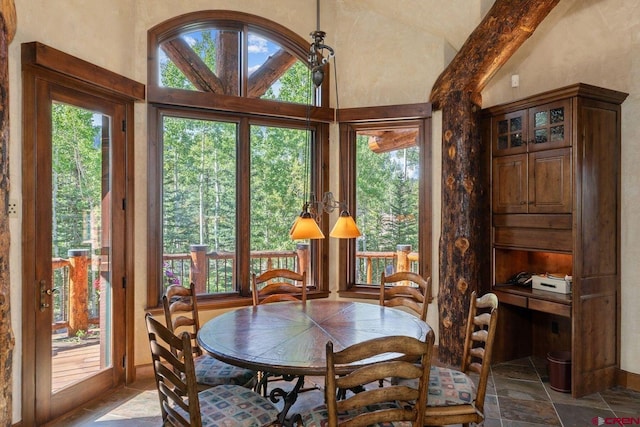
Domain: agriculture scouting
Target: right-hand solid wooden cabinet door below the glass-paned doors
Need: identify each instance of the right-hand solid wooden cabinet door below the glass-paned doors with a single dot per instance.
(550, 182)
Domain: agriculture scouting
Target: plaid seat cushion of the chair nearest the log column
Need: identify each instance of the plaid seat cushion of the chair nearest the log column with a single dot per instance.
(449, 387)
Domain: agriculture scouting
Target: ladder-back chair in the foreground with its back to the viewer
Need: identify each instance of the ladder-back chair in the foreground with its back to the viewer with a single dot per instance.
(396, 405)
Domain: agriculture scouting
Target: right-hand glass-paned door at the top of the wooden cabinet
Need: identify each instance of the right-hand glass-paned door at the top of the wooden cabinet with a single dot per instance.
(549, 126)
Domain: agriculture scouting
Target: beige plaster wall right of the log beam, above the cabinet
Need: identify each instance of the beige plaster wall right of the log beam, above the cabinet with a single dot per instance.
(595, 42)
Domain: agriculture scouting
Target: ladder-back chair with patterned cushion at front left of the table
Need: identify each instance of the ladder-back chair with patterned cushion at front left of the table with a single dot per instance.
(181, 403)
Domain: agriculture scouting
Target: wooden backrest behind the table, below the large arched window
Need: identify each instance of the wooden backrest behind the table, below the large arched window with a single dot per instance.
(279, 285)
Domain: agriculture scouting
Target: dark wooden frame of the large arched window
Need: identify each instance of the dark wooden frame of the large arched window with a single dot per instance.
(206, 105)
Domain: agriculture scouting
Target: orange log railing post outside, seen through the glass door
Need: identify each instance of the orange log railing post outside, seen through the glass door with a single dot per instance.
(78, 290)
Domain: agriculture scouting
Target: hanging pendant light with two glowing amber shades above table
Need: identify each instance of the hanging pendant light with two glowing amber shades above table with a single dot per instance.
(306, 224)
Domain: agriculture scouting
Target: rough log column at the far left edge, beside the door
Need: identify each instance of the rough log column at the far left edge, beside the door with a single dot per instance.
(7, 340)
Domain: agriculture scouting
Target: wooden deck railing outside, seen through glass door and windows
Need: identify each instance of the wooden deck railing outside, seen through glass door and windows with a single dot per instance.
(76, 302)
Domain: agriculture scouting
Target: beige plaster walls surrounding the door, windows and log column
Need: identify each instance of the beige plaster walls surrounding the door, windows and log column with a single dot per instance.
(387, 52)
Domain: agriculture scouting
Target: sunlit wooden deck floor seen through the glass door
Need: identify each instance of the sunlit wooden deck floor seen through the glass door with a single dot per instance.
(72, 364)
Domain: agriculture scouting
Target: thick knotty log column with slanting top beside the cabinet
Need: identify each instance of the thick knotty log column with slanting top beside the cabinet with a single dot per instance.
(457, 92)
